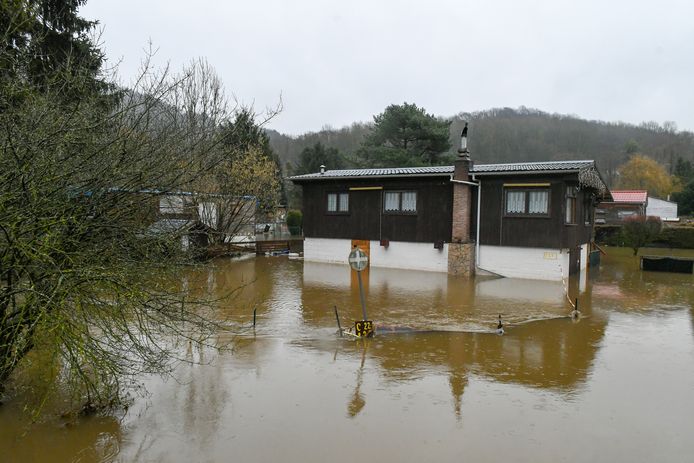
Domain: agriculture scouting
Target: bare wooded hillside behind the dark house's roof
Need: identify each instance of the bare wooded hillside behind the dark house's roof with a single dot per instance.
(508, 135)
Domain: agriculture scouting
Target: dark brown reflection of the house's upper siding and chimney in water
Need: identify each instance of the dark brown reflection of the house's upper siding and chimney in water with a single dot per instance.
(553, 355)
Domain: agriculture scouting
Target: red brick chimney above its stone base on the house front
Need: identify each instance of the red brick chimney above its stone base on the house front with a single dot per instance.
(462, 194)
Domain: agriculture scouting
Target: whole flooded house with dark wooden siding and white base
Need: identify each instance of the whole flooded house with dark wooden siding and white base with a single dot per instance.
(525, 220)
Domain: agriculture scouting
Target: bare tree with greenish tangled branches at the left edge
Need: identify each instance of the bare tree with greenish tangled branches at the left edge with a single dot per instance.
(83, 284)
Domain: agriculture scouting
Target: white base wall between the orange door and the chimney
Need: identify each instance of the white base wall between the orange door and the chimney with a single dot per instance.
(413, 256)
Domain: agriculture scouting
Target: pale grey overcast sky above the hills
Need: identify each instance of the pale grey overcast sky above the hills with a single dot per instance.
(334, 63)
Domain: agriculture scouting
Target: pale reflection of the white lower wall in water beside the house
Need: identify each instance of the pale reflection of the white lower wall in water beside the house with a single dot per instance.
(429, 300)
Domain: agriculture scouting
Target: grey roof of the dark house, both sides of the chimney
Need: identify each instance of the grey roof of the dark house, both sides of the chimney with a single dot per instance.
(529, 167)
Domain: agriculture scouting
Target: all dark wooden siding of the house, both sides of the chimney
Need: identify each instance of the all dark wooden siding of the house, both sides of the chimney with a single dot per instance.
(433, 220)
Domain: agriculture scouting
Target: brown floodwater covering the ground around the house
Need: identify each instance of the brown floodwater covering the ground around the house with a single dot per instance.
(617, 385)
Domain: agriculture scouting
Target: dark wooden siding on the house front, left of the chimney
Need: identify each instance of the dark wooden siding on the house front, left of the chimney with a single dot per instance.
(366, 219)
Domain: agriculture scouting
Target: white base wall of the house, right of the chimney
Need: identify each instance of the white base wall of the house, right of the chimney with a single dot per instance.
(531, 263)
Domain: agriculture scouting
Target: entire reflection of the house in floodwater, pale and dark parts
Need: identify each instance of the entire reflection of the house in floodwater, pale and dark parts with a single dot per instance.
(452, 321)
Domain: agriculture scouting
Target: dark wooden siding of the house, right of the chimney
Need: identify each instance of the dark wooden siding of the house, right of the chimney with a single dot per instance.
(542, 232)
